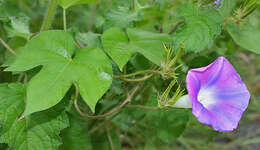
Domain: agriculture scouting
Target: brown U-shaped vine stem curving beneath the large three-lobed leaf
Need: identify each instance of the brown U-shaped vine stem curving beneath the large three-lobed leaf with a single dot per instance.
(113, 111)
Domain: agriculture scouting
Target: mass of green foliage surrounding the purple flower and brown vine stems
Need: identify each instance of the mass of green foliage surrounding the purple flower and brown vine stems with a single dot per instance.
(108, 38)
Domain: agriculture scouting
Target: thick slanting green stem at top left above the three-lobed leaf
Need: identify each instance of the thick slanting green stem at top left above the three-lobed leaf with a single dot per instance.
(49, 15)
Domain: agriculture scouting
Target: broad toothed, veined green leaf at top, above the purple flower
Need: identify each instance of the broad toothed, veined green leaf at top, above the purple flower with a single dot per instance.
(200, 29)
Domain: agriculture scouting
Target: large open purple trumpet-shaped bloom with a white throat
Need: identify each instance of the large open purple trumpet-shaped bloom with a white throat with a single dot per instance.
(218, 95)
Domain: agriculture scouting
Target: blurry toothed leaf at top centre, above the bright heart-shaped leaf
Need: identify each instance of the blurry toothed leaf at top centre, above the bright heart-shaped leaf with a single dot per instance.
(121, 17)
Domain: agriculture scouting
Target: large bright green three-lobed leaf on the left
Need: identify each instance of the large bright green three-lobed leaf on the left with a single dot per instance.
(90, 69)
